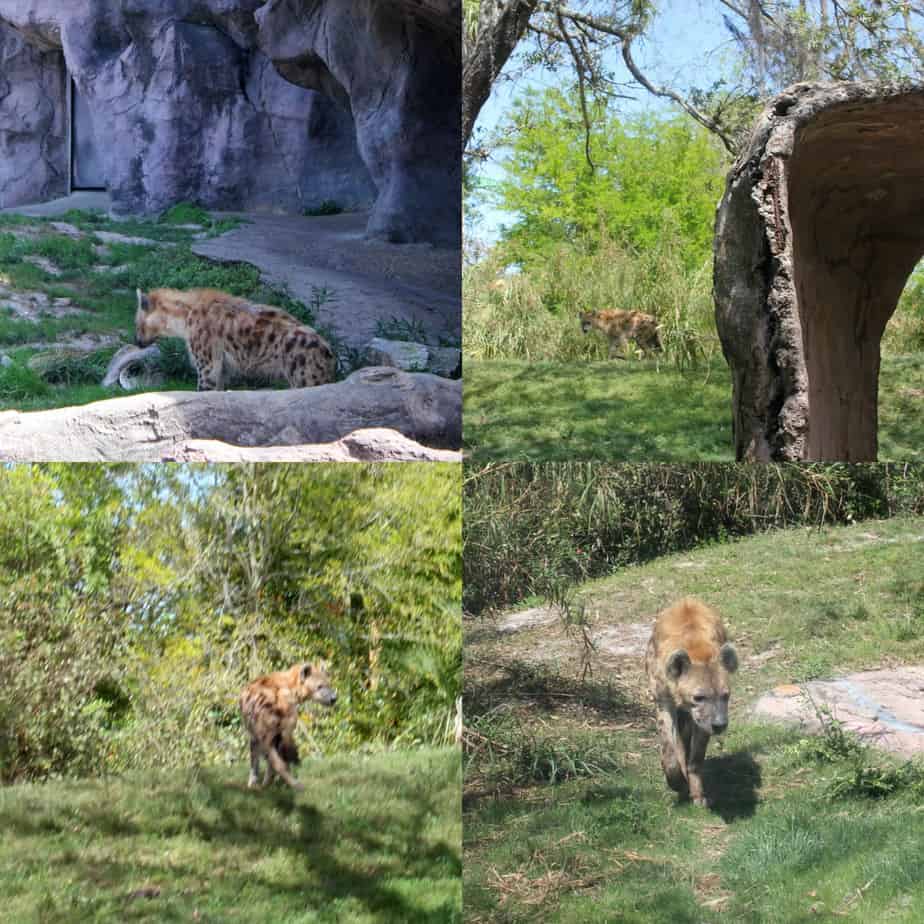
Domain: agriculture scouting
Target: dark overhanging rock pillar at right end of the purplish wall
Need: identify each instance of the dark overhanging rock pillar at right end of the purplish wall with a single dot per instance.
(398, 65)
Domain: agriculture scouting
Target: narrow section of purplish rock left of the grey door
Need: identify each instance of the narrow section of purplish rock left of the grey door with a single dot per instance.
(33, 127)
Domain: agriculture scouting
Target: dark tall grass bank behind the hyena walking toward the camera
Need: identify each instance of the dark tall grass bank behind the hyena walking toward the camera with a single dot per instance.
(529, 529)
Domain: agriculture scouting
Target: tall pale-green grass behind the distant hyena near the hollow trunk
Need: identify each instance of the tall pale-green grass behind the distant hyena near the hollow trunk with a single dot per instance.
(534, 315)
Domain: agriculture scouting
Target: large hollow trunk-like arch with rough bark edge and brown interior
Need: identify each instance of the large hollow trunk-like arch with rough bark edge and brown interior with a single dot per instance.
(819, 229)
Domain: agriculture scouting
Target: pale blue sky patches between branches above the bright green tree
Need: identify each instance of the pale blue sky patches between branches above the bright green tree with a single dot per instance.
(686, 46)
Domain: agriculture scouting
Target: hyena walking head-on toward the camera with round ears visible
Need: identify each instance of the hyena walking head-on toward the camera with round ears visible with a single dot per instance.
(688, 663)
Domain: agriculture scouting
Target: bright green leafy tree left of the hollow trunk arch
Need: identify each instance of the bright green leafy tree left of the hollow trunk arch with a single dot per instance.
(654, 178)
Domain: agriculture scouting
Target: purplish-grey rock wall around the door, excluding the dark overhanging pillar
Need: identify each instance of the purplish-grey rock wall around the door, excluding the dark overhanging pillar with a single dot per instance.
(186, 110)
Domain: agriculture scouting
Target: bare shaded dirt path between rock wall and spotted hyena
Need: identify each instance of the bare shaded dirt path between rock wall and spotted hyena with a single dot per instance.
(371, 281)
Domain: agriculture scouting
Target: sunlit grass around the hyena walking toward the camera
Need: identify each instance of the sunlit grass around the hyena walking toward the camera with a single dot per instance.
(611, 843)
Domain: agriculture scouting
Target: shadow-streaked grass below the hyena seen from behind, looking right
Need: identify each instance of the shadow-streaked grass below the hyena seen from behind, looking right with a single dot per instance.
(355, 855)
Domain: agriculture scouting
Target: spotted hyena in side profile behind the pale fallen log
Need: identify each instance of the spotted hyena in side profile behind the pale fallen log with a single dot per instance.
(229, 337)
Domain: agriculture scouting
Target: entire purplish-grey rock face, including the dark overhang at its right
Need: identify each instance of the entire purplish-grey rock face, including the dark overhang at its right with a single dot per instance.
(360, 105)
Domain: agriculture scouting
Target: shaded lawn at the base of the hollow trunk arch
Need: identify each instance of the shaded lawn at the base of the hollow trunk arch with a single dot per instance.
(629, 411)
